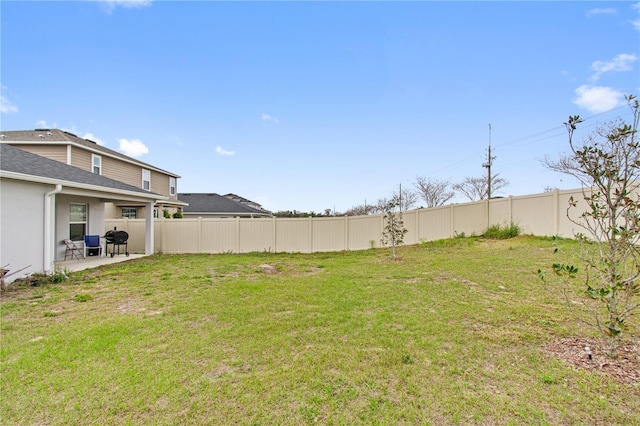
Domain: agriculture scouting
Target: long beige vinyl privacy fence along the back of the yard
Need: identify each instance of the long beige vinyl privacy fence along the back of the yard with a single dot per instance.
(539, 214)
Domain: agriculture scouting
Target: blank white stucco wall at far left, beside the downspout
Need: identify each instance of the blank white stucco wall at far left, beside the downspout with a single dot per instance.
(22, 226)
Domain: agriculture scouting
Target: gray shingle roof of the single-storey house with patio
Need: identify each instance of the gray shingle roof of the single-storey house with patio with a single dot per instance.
(15, 160)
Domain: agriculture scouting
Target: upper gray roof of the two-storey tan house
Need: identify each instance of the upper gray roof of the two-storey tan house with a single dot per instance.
(54, 136)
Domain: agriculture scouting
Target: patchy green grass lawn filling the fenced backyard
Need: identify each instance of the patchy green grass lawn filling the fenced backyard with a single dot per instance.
(453, 333)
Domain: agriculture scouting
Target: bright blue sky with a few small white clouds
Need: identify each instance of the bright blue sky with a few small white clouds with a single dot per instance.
(316, 105)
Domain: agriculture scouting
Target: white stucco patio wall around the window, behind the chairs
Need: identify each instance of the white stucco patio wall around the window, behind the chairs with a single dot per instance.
(95, 219)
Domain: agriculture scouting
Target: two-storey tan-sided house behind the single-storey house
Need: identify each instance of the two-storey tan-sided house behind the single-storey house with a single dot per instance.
(87, 155)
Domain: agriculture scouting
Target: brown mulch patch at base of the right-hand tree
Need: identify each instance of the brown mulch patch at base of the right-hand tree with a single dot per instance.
(624, 369)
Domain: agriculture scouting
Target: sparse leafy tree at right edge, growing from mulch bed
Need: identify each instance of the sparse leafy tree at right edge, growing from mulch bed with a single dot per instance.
(608, 167)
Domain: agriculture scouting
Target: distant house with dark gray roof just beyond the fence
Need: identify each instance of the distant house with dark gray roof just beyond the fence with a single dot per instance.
(220, 206)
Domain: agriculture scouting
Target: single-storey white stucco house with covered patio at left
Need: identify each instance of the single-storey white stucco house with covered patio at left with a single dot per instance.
(44, 201)
